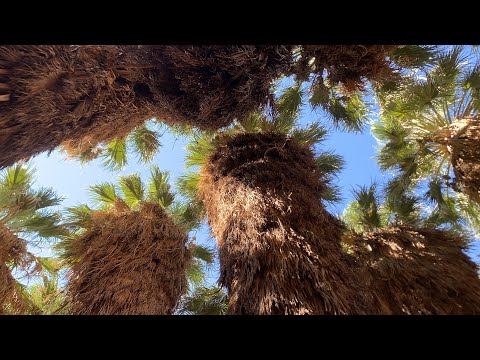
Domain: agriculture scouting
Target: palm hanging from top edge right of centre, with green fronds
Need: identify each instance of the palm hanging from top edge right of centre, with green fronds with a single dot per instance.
(339, 77)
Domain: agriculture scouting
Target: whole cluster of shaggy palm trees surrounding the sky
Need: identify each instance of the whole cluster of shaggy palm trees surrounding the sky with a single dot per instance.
(256, 176)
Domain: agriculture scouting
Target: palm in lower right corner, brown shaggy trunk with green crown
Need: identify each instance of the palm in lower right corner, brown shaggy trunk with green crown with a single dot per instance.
(410, 267)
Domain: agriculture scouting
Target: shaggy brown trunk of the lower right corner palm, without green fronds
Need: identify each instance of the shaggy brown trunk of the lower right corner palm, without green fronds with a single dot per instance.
(412, 271)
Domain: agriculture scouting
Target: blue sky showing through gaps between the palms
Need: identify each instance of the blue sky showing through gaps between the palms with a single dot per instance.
(71, 179)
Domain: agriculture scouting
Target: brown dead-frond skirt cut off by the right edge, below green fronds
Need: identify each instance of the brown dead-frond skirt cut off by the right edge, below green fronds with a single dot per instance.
(465, 150)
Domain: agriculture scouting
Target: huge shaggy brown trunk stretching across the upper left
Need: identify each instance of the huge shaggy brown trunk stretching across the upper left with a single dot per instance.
(84, 95)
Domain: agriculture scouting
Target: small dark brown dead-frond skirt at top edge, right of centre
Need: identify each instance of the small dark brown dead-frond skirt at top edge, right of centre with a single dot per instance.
(348, 65)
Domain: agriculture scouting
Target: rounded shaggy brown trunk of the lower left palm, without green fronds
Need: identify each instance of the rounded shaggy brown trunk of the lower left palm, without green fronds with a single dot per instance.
(130, 263)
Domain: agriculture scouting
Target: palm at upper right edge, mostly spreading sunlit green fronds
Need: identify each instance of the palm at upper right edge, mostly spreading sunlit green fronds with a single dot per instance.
(430, 128)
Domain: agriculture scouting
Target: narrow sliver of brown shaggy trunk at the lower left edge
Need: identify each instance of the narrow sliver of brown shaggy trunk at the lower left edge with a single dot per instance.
(12, 249)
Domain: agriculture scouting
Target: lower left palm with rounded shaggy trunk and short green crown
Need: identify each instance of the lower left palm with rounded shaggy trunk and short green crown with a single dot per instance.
(130, 256)
